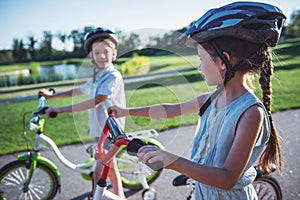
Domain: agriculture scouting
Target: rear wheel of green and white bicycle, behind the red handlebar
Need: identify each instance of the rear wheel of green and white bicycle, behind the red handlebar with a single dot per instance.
(132, 171)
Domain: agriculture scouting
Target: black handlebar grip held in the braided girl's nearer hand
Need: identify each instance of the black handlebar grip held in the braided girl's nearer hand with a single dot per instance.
(132, 149)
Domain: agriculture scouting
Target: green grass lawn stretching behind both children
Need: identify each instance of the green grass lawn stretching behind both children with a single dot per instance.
(72, 128)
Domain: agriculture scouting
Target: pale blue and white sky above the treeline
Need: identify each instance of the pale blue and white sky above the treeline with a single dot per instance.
(22, 18)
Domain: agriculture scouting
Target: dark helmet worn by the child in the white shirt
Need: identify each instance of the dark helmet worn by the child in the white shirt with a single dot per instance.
(96, 34)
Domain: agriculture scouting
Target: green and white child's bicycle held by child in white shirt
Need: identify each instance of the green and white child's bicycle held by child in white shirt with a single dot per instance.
(32, 176)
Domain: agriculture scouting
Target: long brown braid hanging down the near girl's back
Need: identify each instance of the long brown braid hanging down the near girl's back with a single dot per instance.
(271, 157)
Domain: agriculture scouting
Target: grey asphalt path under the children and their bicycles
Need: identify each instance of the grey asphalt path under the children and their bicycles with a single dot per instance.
(179, 141)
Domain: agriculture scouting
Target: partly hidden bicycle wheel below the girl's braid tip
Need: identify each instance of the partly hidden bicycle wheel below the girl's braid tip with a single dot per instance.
(267, 187)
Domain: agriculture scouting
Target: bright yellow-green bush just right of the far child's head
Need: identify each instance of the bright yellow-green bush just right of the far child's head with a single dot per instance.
(137, 65)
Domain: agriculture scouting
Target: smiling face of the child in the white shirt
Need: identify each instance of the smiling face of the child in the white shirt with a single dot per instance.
(102, 54)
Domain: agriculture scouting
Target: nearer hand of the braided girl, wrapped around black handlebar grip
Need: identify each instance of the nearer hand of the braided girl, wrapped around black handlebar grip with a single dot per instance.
(153, 154)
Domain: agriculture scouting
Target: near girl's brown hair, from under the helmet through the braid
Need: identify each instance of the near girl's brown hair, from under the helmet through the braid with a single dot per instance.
(255, 58)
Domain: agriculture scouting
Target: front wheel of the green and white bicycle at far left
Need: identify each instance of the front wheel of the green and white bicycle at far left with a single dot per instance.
(43, 185)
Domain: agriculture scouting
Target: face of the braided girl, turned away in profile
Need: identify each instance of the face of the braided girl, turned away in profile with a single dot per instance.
(211, 70)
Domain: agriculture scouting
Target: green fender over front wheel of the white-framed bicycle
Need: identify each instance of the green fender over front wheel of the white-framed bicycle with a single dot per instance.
(44, 161)
